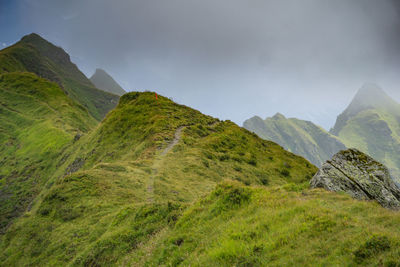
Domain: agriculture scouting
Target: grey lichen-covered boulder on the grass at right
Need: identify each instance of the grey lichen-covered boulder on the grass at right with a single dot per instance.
(360, 176)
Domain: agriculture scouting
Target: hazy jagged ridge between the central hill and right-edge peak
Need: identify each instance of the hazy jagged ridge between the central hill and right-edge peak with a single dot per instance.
(300, 137)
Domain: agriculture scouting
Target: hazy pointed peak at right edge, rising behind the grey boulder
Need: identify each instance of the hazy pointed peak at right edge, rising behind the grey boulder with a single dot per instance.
(371, 123)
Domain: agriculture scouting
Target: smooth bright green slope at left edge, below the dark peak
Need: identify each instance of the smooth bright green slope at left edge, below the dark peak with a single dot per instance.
(37, 122)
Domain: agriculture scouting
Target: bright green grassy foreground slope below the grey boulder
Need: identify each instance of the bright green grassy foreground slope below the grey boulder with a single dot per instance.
(277, 226)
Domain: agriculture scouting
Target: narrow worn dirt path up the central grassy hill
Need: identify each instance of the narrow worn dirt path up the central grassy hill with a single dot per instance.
(158, 161)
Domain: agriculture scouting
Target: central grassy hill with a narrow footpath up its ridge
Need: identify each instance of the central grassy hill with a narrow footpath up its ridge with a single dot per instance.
(133, 176)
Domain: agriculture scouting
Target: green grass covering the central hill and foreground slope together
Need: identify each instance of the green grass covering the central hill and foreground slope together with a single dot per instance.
(220, 197)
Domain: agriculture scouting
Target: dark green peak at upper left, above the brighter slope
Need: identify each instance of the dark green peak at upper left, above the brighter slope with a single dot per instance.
(34, 54)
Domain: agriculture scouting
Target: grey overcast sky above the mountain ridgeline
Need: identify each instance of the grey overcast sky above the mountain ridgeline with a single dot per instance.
(232, 59)
